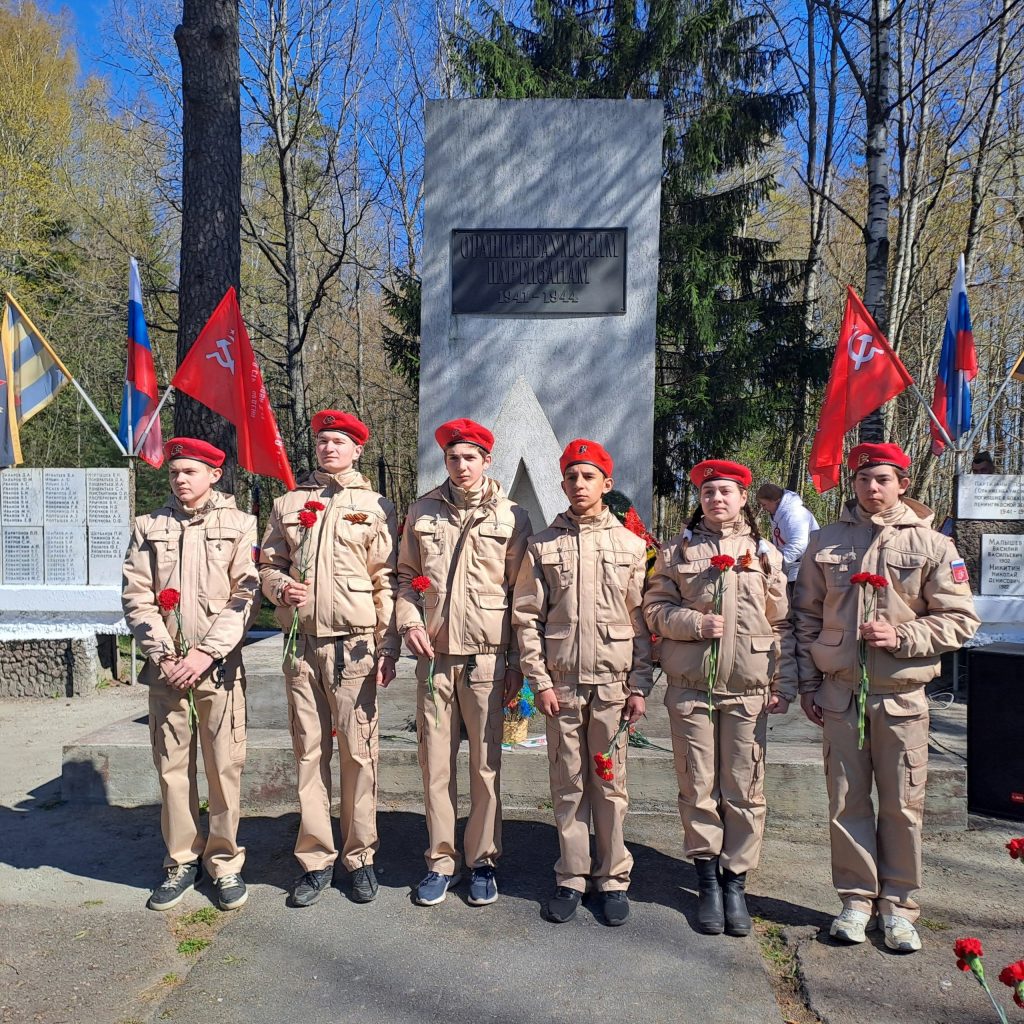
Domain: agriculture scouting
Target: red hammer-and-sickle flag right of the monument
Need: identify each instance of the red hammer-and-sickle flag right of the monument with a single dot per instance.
(866, 374)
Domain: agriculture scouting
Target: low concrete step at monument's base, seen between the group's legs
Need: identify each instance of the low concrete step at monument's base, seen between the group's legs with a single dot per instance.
(114, 765)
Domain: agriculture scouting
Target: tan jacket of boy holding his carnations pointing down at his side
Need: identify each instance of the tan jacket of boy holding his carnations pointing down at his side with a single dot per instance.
(578, 606)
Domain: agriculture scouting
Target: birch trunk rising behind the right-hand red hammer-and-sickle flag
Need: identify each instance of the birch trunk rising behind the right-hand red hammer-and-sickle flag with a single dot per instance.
(877, 152)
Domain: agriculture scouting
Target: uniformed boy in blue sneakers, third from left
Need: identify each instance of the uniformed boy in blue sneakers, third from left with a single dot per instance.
(466, 539)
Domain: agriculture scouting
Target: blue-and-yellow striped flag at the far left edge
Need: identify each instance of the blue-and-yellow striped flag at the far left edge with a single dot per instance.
(33, 376)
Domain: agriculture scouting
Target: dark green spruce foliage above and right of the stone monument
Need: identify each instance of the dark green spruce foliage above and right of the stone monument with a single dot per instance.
(732, 347)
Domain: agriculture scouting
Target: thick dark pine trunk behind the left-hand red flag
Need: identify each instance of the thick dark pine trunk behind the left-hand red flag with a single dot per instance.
(211, 188)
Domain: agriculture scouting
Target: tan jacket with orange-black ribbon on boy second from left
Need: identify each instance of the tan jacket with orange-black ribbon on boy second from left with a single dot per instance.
(351, 552)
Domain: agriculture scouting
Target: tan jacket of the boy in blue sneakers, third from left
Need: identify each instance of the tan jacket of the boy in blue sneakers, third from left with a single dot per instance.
(468, 607)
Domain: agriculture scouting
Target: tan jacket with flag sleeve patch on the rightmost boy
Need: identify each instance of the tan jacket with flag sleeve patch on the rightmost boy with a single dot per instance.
(932, 613)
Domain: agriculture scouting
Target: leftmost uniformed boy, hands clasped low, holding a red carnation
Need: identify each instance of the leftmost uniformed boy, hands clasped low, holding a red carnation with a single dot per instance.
(198, 546)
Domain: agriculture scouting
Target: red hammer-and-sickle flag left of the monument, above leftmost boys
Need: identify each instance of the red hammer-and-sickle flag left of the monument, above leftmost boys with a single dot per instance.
(222, 372)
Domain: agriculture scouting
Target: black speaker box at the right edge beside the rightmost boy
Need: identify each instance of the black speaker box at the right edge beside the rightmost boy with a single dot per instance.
(996, 731)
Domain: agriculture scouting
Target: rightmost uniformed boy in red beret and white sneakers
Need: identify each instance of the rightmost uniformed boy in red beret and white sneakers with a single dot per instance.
(923, 610)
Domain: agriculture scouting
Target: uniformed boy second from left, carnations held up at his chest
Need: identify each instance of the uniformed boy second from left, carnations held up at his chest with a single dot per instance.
(346, 648)
